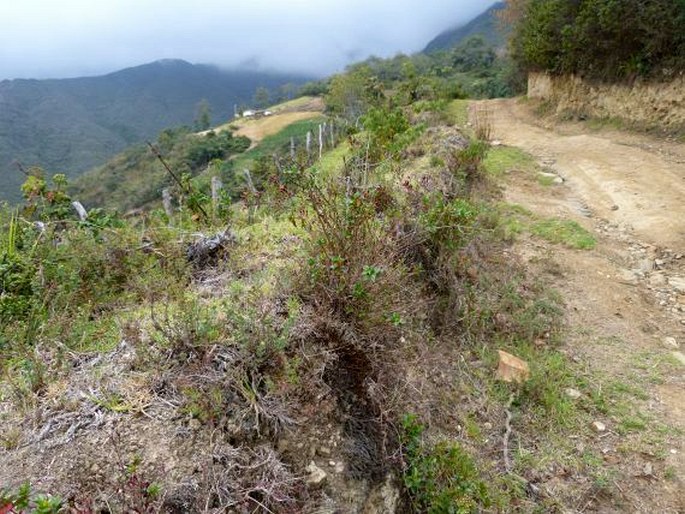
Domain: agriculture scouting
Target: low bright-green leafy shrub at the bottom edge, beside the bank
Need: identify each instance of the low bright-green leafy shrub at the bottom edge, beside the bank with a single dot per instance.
(440, 478)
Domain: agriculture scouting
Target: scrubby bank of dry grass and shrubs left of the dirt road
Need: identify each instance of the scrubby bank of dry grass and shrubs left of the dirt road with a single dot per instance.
(334, 295)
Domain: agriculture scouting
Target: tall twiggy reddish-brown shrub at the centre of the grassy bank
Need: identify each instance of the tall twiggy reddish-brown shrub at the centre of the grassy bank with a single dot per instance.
(354, 269)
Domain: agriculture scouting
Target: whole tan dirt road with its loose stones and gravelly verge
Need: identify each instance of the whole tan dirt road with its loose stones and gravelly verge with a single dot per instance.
(626, 298)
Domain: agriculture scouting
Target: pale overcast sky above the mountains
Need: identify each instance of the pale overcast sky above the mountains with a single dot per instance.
(67, 38)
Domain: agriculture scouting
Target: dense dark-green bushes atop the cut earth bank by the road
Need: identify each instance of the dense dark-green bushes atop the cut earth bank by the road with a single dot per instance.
(601, 39)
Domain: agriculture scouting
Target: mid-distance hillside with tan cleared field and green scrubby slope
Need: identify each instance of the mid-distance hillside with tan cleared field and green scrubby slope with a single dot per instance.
(135, 177)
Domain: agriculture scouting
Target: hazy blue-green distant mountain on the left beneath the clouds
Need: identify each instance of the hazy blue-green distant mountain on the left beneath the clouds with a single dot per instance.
(71, 125)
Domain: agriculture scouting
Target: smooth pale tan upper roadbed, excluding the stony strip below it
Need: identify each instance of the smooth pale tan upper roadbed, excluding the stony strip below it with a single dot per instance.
(627, 179)
